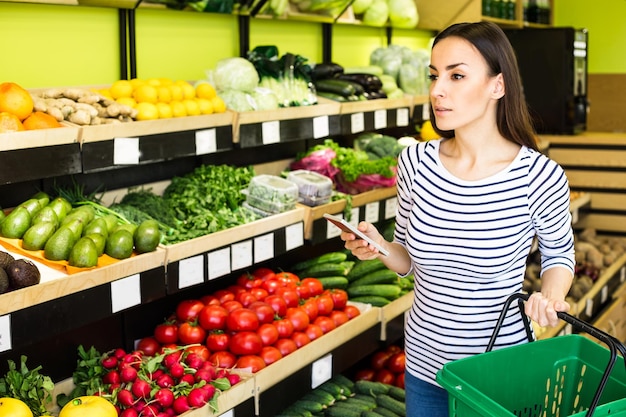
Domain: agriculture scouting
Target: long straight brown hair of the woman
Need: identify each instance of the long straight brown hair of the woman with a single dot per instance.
(513, 119)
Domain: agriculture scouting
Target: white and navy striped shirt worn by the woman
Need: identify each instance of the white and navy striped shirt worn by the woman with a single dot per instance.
(469, 242)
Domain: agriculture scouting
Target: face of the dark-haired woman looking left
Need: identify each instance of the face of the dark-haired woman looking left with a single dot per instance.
(462, 92)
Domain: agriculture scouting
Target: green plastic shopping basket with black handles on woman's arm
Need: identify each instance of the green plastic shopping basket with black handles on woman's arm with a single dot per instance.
(562, 376)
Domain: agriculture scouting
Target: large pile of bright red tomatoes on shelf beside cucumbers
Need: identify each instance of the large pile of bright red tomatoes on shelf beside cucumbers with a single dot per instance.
(265, 316)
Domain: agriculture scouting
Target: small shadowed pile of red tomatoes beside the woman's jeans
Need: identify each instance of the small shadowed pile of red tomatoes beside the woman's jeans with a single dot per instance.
(386, 366)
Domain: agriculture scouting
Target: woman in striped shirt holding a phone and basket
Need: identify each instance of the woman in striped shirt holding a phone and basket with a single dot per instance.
(469, 206)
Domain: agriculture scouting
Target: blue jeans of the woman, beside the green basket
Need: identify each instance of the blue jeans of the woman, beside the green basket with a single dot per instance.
(424, 399)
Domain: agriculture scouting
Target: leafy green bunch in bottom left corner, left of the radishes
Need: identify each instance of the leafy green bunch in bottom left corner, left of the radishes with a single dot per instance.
(27, 385)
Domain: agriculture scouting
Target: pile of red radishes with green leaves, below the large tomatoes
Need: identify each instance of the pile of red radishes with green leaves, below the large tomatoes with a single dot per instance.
(166, 384)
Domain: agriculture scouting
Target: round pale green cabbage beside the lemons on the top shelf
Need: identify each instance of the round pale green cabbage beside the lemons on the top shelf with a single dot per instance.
(235, 73)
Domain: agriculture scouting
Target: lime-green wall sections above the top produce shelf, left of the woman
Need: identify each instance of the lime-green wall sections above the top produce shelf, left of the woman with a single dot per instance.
(52, 45)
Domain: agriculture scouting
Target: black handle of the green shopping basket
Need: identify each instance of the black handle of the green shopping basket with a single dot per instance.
(613, 343)
